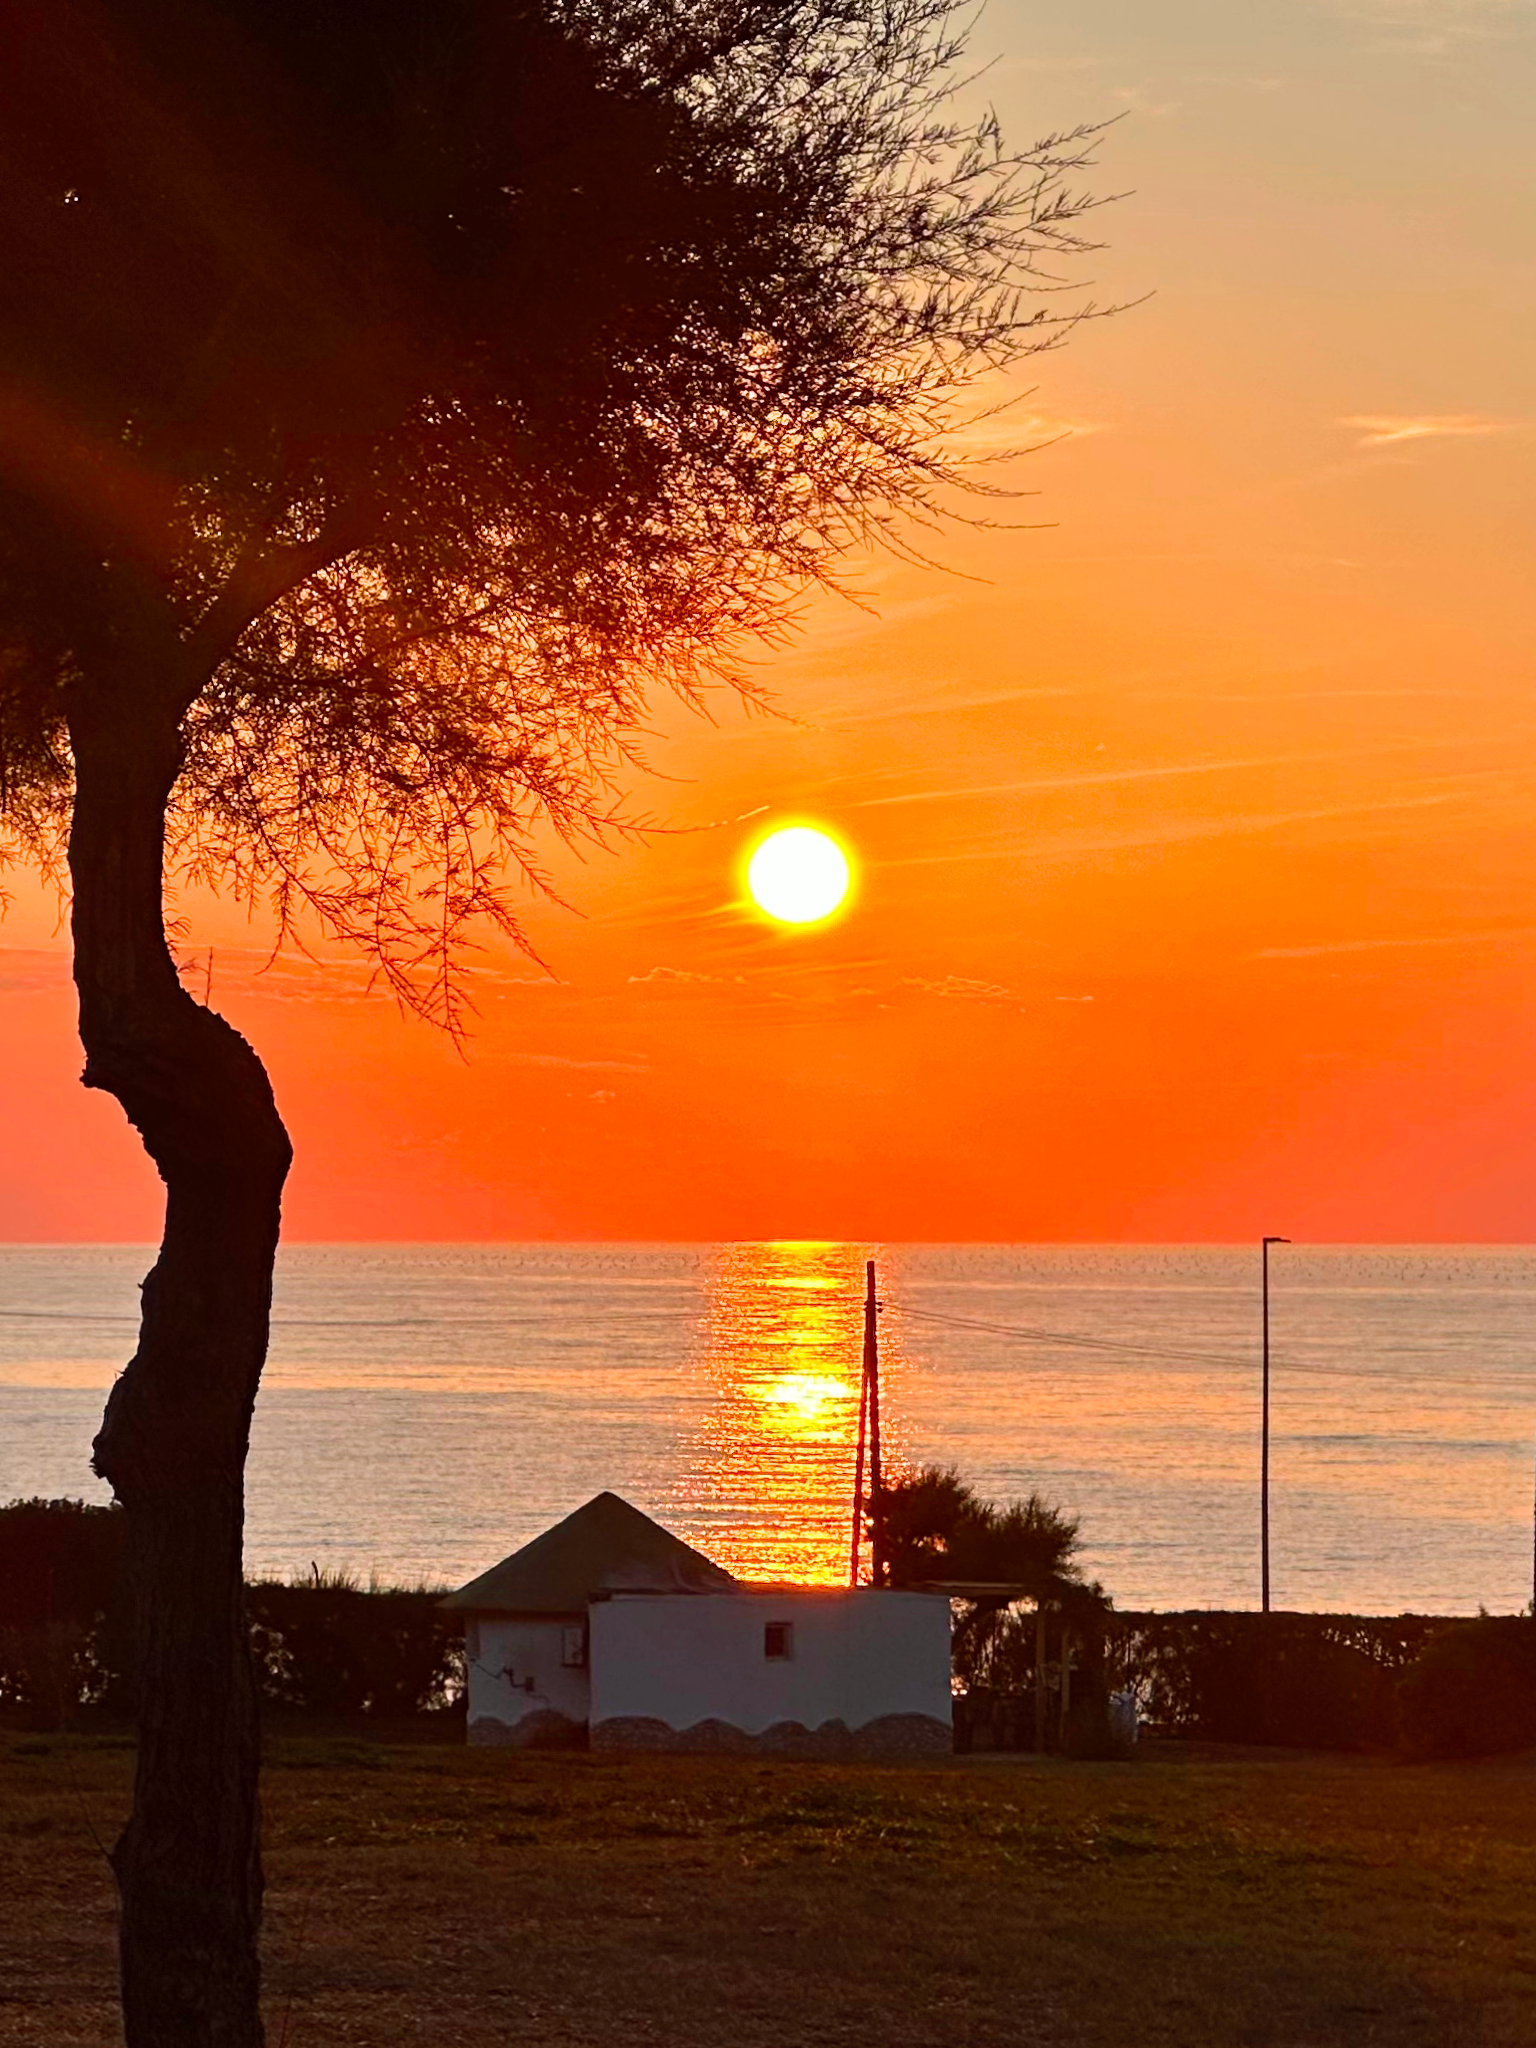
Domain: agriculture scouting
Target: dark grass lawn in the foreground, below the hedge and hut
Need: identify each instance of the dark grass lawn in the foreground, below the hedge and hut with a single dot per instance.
(482, 1897)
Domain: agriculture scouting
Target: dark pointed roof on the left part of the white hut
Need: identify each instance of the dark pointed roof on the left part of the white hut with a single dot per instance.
(603, 1547)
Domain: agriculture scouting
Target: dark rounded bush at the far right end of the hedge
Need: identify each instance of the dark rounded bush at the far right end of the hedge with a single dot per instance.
(1474, 1691)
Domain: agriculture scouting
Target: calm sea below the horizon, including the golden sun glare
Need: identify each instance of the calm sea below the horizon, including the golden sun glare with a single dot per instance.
(431, 1408)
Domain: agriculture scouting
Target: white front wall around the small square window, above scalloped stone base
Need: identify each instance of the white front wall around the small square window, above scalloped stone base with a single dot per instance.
(857, 1658)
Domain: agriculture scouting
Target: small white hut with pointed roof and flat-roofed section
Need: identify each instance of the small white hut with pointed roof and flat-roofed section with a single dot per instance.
(609, 1629)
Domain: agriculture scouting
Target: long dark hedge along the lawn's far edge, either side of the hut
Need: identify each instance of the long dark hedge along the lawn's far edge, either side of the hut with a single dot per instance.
(327, 1648)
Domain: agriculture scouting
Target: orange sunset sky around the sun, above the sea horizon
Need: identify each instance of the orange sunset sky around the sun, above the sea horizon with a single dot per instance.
(1197, 828)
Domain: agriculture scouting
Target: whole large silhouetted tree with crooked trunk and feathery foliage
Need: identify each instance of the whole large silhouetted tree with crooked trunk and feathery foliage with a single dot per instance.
(388, 396)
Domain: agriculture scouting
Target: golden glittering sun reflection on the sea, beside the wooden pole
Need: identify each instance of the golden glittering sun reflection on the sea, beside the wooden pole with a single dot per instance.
(771, 1467)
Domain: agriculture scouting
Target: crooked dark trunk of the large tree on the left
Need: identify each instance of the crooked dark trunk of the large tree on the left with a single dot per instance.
(177, 1426)
